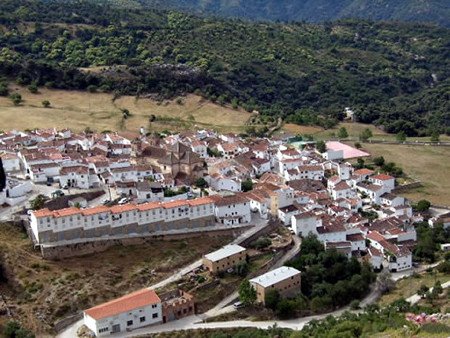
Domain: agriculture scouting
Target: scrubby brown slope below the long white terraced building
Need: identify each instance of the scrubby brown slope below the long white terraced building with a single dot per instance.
(41, 292)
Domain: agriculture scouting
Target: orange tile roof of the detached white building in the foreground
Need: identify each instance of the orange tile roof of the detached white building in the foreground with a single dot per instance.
(135, 300)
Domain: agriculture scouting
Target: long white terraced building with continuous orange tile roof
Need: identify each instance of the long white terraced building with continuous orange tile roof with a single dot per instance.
(79, 225)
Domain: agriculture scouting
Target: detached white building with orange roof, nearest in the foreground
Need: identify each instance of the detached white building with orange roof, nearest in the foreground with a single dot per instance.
(135, 310)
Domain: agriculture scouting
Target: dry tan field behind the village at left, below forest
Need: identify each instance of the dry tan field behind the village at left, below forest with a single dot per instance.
(78, 110)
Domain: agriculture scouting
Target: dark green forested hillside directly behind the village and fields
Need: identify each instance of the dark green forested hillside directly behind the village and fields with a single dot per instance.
(395, 75)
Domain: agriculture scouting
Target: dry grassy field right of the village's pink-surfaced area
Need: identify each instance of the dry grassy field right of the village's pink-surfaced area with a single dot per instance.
(430, 165)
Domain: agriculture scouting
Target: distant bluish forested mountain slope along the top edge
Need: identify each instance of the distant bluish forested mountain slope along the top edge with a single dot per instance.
(437, 11)
